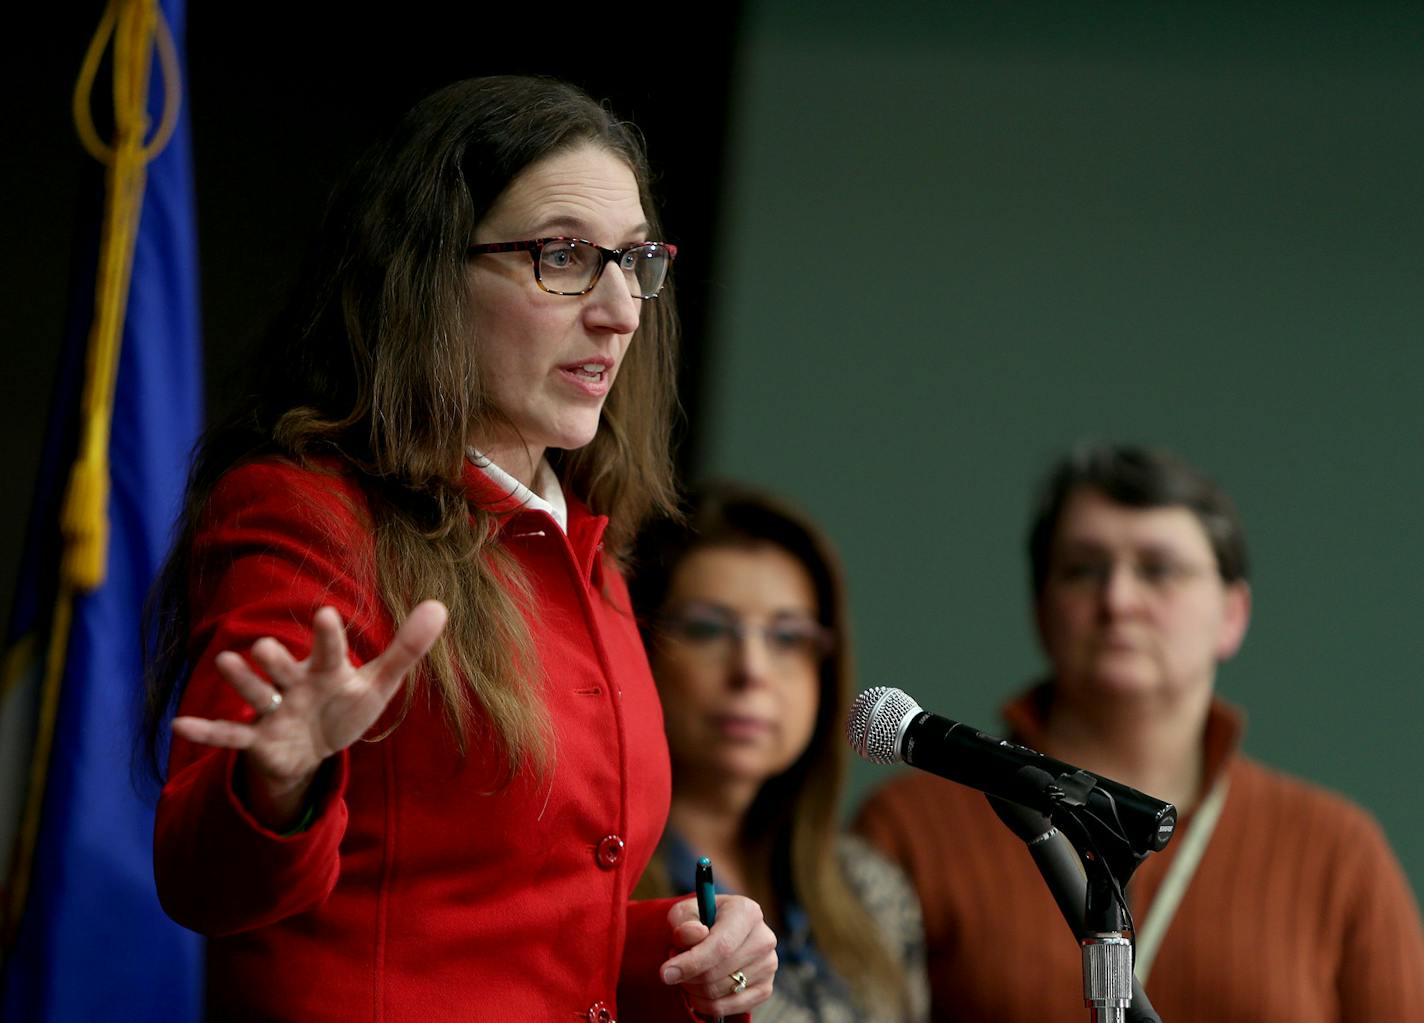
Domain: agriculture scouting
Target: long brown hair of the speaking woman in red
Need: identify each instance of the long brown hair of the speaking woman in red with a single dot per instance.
(374, 368)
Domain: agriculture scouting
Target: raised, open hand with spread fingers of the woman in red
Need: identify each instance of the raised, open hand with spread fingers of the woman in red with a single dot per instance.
(308, 710)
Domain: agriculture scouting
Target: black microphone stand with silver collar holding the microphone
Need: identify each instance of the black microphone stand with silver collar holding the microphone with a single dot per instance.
(1096, 907)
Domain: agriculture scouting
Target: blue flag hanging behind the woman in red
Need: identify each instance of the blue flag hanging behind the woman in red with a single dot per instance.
(88, 937)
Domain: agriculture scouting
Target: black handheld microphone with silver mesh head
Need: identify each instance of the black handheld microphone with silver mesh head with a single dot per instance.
(889, 727)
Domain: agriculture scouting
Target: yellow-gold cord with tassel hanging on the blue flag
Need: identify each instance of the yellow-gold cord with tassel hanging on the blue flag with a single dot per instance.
(135, 26)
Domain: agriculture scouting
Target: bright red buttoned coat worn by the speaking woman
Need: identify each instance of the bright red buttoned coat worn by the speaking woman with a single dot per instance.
(422, 891)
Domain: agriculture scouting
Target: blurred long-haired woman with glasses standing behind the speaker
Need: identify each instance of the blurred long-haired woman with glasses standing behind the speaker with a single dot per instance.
(747, 626)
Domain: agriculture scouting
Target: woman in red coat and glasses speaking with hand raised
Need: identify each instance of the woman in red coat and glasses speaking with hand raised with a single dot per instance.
(462, 428)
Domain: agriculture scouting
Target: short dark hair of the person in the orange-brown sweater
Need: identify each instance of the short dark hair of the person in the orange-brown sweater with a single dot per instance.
(1137, 478)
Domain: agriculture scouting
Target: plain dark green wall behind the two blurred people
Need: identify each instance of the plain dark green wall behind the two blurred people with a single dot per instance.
(959, 242)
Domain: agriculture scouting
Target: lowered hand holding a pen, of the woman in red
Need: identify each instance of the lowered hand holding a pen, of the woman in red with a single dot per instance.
(738, 947)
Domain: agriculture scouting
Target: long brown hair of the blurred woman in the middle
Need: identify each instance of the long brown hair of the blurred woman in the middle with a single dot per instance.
(797, 813)
